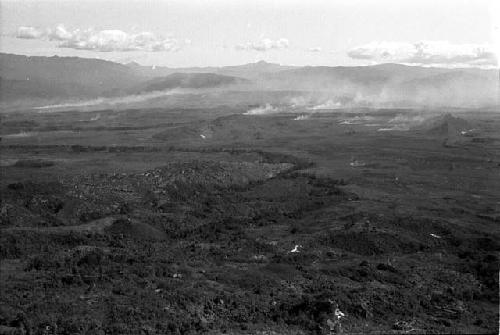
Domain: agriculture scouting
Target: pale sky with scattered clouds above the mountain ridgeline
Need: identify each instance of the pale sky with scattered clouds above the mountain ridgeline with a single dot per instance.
(449, 33)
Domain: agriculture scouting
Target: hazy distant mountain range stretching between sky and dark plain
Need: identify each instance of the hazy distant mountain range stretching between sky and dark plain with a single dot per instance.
(24, 77)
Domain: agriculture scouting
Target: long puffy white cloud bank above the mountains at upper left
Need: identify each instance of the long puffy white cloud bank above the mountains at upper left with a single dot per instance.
(102, 40)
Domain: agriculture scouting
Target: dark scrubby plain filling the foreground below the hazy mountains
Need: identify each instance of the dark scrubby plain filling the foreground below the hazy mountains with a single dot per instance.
(159, 221)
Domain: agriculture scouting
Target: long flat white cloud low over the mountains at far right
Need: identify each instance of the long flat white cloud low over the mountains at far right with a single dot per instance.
(441, 53)
